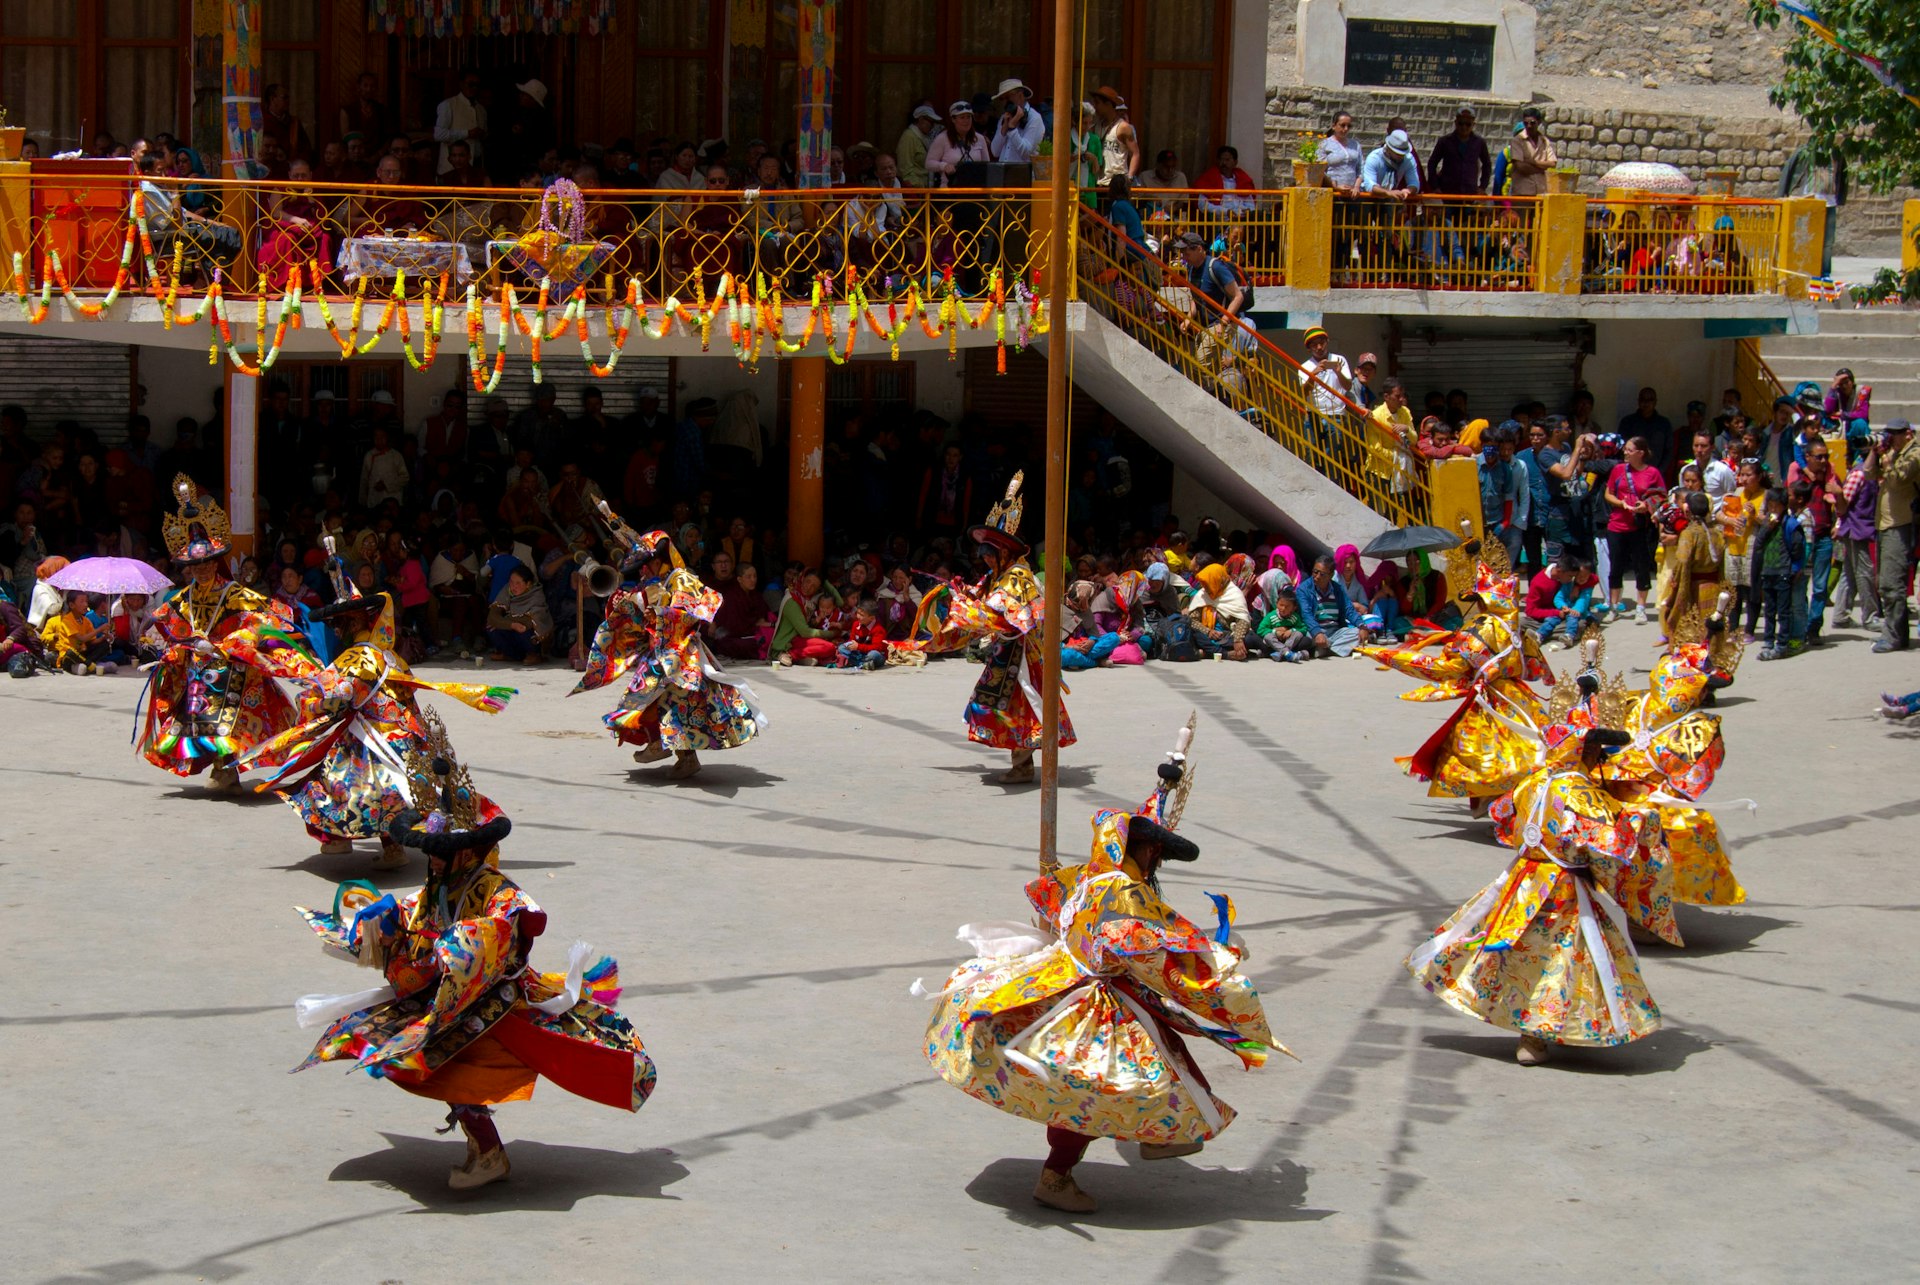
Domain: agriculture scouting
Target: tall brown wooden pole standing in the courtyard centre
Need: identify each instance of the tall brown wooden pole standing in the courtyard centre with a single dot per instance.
(1059, 270)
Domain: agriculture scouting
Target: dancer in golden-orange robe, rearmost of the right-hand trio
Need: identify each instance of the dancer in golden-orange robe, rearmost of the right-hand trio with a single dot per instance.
(1489, 664)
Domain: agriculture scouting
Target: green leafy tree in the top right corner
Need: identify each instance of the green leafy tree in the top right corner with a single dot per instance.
(1842, 103)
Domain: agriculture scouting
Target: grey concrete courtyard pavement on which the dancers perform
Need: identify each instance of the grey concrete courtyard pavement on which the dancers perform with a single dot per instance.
(771, 915)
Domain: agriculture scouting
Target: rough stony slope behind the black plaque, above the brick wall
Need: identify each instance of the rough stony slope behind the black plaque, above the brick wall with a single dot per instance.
(1673, 41)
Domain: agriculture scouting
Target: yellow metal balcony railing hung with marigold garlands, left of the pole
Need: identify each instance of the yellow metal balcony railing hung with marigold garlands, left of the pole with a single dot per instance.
(673, 243)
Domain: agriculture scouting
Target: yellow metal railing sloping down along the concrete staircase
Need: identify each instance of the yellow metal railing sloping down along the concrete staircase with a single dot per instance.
(1249, 376)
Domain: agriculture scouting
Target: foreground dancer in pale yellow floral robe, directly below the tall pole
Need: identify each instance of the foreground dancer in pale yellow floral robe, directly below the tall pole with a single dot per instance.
(1078, 1021)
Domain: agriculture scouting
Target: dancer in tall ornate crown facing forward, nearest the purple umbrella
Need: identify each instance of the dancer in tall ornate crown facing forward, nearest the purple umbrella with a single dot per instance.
(212, 696)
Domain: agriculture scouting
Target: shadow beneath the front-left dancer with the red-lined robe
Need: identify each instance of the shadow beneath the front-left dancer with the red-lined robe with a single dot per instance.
(546, 1178)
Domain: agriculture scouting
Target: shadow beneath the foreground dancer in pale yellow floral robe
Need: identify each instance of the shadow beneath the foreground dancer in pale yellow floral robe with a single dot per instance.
(1159, 1196)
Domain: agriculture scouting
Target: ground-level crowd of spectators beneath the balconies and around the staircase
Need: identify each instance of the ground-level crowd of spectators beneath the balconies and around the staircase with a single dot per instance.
(483, 527)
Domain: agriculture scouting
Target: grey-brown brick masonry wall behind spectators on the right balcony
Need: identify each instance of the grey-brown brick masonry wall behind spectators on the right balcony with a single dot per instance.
(1591, 139)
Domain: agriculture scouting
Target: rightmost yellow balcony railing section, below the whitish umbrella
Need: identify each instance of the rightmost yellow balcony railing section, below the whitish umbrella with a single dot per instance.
(1650, 245)
